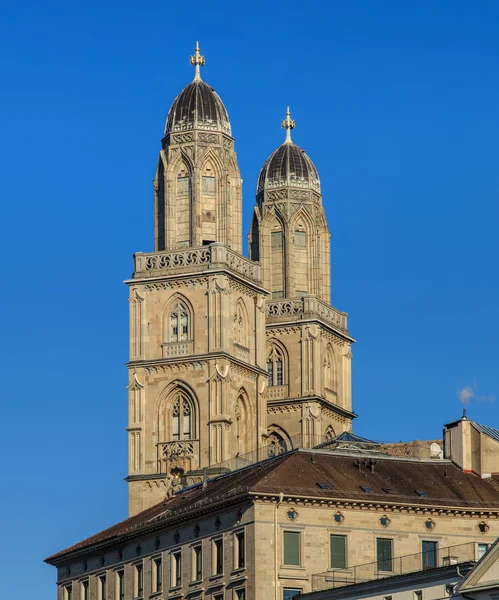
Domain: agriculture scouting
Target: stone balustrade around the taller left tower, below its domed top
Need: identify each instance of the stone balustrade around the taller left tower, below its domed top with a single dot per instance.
(213, 256)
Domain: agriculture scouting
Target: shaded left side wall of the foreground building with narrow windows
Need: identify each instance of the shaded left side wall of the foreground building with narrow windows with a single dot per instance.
(217, 525)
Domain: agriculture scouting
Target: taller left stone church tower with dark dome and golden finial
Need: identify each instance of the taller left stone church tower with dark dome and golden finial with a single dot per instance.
(197, 311)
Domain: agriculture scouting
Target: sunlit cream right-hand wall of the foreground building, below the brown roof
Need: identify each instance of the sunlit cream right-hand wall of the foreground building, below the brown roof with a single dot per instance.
(361, 526)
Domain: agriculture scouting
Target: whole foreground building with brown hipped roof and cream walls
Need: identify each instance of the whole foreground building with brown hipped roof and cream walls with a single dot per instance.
(302, 521)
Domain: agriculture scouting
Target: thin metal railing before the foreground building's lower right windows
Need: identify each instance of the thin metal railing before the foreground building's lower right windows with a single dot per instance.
(399, 565)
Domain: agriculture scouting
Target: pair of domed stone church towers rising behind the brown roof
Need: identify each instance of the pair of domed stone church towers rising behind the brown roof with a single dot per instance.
(232, 360)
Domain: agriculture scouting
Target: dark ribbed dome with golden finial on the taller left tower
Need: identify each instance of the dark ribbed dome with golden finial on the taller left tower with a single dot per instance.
(197, 106)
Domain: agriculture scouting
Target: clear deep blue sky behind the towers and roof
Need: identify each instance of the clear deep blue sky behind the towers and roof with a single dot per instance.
(397, 105)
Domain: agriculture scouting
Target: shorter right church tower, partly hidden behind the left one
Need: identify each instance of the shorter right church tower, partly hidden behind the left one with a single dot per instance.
(308, 346)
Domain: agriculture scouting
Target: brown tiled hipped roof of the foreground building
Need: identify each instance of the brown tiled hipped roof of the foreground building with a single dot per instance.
(299, 472)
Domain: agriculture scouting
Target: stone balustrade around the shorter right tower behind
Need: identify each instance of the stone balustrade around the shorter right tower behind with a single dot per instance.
(304, 308)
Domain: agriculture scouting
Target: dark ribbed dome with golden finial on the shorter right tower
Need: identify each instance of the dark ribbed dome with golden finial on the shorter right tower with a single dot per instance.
(288, 166)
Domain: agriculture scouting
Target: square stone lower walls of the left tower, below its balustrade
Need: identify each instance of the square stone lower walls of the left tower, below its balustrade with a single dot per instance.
(213, 379)
